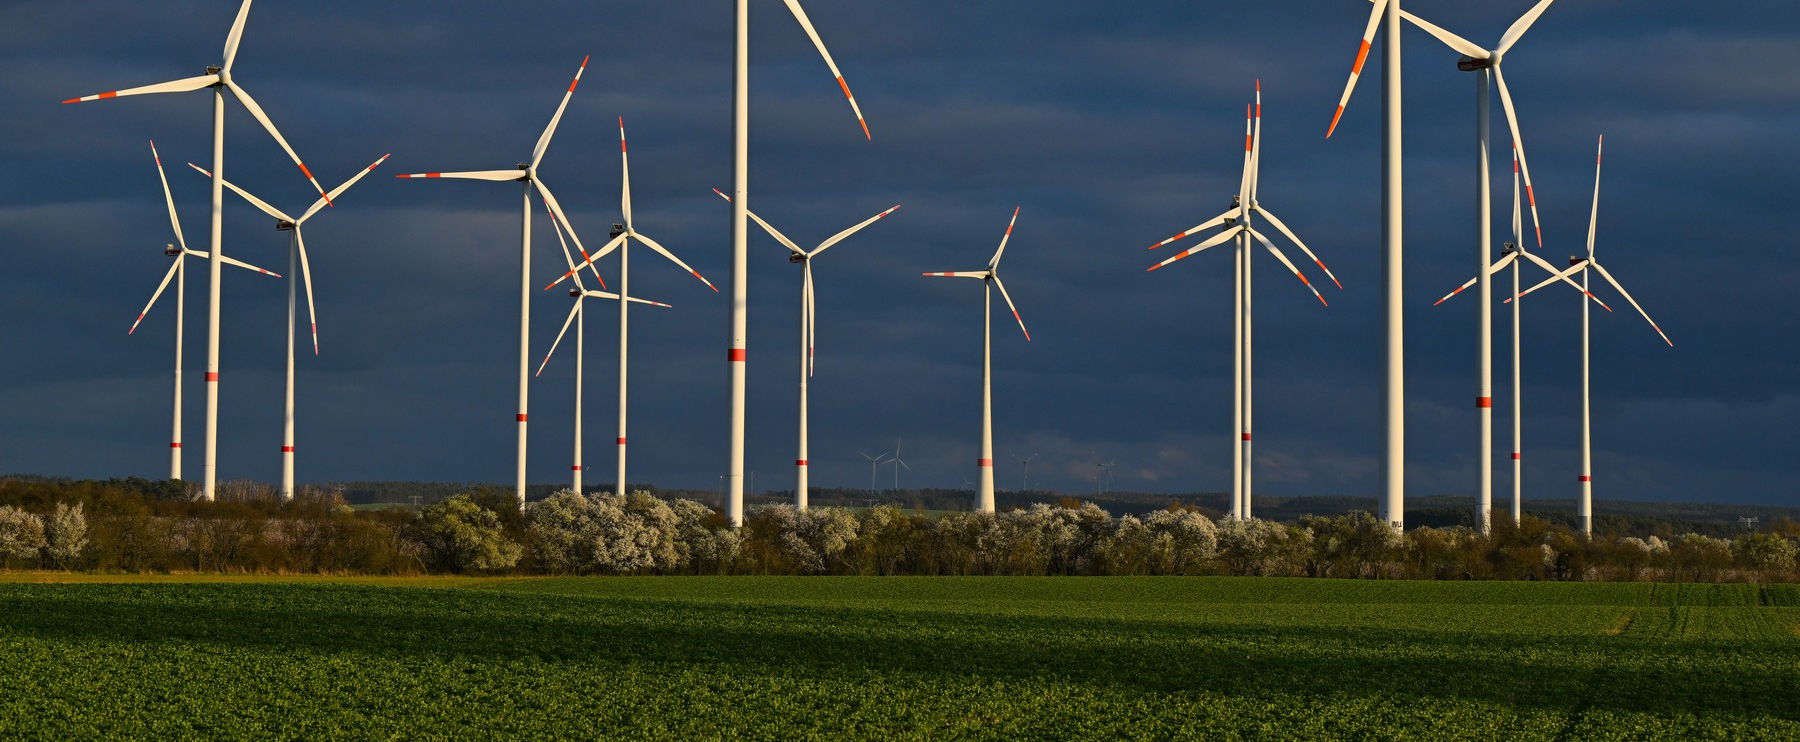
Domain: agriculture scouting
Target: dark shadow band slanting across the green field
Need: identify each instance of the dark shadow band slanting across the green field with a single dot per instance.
(1601, 673)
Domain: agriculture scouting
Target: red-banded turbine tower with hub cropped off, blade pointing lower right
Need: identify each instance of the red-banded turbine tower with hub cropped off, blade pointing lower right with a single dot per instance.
(741, 190)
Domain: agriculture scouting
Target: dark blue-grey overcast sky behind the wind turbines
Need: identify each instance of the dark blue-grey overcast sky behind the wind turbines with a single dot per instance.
(1111, 125)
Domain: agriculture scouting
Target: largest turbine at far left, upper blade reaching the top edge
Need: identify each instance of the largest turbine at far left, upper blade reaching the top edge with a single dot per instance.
(219, 78)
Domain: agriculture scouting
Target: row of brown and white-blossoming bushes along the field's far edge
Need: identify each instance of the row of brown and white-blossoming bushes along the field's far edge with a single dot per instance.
(138, 527)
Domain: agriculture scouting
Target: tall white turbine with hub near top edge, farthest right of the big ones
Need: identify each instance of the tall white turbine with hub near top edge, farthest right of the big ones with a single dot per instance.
(1486, 62)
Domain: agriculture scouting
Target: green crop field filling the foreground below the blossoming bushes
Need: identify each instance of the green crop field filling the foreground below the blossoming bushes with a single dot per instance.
(895, 658)
